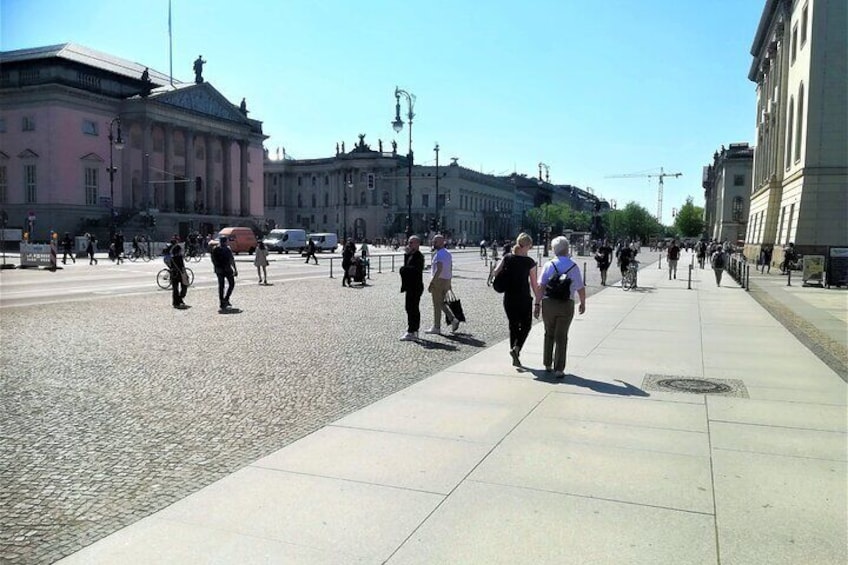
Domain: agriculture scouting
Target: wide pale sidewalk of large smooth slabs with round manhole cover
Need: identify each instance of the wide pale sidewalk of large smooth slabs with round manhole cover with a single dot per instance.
(483, 463)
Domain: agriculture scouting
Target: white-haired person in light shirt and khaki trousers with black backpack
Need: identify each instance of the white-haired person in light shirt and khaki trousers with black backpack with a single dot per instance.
(557, 306)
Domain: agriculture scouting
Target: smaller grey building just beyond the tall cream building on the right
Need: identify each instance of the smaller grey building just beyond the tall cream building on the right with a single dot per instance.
(727, 188)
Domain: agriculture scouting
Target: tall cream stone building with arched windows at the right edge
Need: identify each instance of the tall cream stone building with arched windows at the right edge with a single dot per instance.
(800, 180)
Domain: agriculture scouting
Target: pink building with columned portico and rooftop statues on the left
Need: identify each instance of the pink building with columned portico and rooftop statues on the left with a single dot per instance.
(92, 143)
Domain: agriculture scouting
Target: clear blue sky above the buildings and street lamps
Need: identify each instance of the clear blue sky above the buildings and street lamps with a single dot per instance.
(590, 87)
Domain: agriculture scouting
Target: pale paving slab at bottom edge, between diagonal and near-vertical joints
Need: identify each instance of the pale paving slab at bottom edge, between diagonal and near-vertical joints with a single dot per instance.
(484, 524)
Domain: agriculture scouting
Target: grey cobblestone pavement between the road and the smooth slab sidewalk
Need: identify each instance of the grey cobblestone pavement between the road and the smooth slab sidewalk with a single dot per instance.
(115, 408)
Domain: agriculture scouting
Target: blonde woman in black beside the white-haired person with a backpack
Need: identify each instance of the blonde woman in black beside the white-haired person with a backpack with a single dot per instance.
(521, 278)
